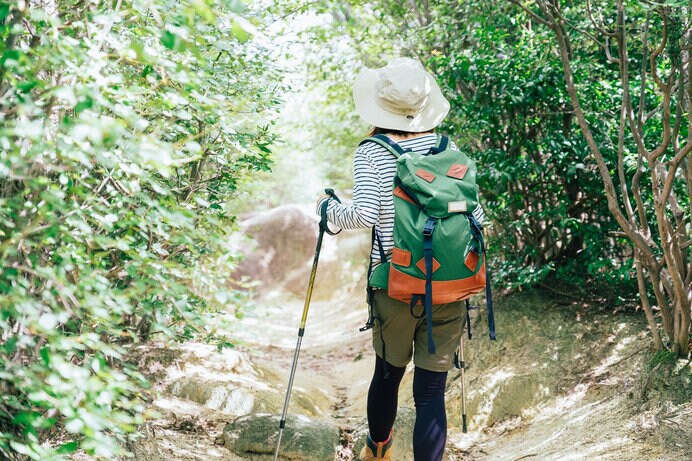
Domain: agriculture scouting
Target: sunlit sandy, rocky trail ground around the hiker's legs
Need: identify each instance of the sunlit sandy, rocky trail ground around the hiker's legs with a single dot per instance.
(576, 408)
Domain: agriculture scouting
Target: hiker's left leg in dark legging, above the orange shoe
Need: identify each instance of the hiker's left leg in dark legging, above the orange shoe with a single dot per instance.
(383, 398)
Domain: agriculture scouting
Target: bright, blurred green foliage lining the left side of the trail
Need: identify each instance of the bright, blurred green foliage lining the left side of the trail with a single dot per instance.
(125, 128)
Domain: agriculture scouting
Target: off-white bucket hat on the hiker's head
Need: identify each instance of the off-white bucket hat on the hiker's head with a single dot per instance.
(400, 96)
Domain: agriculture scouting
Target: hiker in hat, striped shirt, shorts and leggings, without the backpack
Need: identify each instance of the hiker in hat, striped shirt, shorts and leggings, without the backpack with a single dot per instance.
(403, 102)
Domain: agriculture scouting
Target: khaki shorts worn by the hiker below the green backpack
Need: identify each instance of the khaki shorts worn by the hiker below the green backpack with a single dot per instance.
(405, 336)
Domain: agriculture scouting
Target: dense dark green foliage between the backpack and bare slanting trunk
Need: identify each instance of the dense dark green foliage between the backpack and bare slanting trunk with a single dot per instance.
(511, 108)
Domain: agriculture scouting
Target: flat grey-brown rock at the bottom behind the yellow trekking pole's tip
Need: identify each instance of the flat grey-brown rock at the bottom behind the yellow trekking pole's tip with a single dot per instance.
(255, 436)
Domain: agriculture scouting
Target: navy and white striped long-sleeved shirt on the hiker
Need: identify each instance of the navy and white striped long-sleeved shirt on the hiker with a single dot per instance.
(374, 168)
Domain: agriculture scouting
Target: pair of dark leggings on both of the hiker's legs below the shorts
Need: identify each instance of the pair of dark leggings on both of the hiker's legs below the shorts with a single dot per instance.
(430, 430)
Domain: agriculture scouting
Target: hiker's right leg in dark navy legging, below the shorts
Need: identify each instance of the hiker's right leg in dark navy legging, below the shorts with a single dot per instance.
(430, 430)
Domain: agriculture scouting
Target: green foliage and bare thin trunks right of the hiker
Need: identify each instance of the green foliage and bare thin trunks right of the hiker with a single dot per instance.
(592, 187)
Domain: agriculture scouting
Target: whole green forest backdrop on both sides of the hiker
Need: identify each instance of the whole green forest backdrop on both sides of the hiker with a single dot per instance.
(133, 132)
